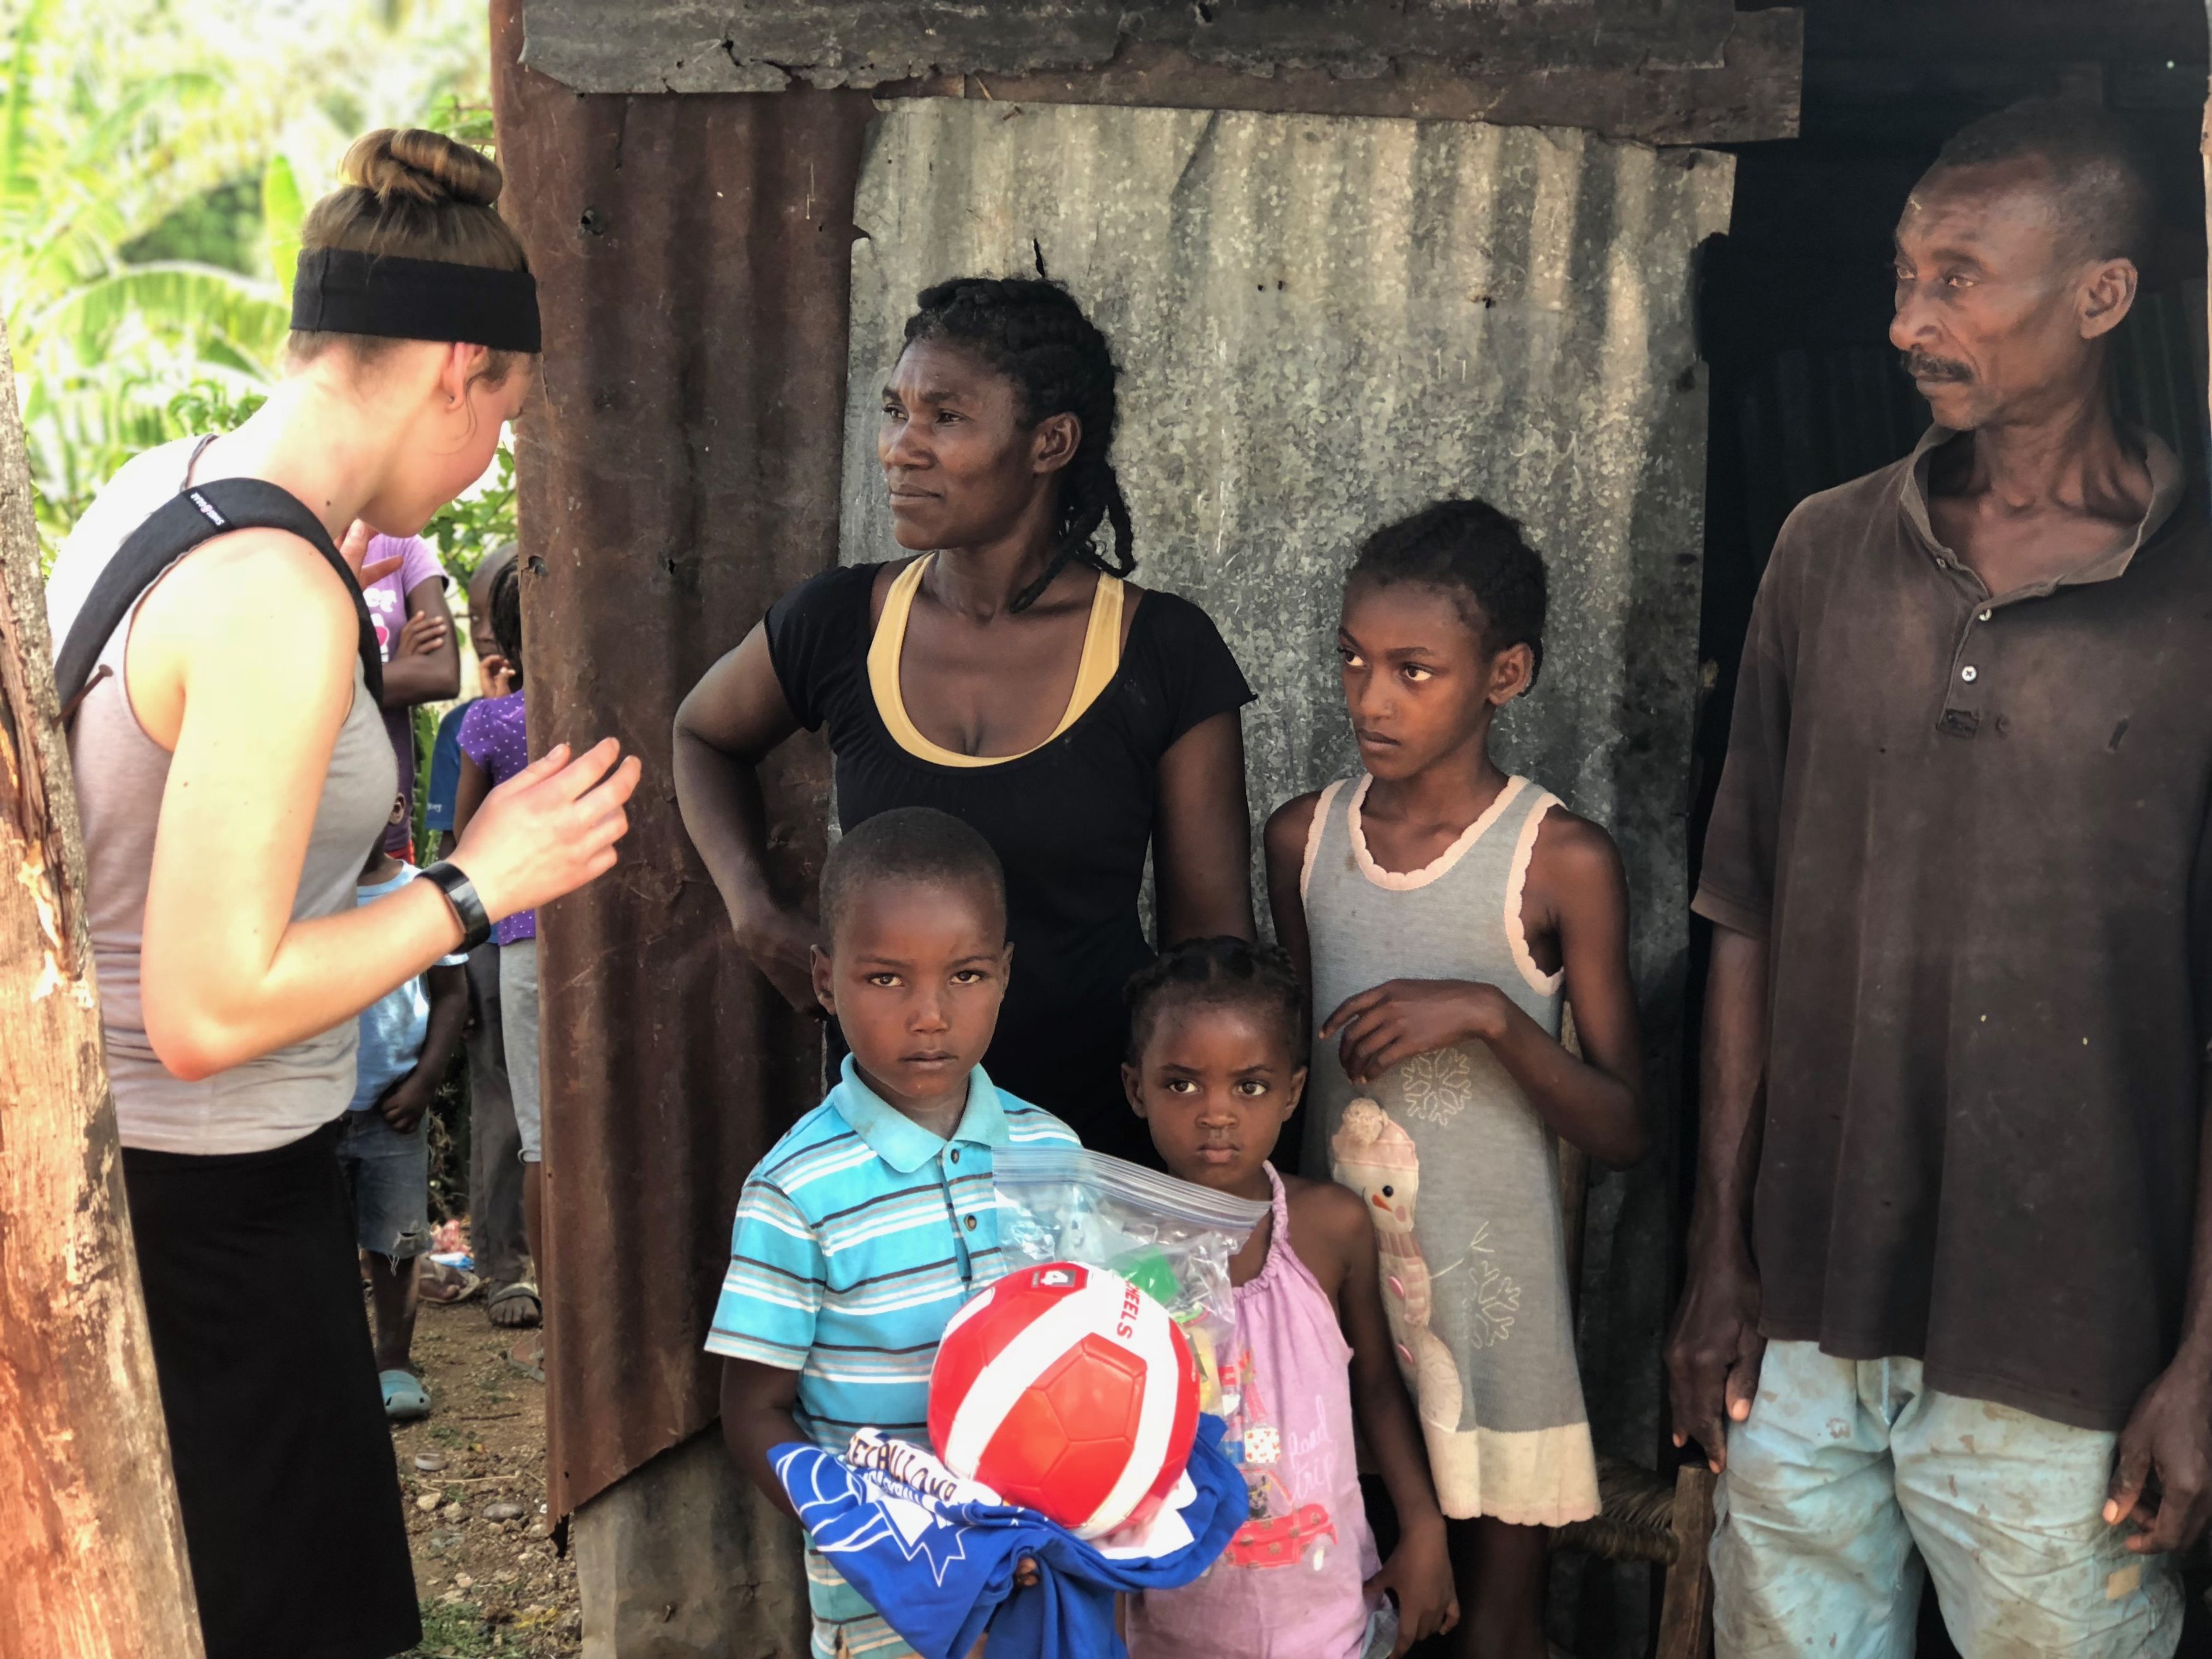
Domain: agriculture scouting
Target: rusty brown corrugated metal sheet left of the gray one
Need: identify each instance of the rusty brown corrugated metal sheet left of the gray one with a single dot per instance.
(678, 474)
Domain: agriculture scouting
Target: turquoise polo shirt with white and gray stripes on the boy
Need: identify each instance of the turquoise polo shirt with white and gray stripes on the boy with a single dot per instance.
(857, 1240)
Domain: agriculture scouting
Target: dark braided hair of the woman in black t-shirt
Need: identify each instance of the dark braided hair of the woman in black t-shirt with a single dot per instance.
(1039, 337)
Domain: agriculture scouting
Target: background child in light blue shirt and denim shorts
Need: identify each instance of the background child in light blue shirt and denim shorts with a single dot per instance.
(408, 1041)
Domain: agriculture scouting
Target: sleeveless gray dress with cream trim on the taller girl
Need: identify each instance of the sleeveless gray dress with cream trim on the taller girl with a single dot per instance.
(1459, 1169)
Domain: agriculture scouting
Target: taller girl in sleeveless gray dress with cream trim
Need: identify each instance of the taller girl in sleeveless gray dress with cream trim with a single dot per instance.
(1446, 915)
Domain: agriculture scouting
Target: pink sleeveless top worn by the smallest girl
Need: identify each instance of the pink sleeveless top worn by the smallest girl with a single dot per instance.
(1288, 1587)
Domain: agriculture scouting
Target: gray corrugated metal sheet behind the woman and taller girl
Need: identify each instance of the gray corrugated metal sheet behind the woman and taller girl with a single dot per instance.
(1326, 324)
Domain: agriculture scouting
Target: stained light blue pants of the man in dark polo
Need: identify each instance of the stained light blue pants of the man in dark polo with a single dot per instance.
(1853, 1474)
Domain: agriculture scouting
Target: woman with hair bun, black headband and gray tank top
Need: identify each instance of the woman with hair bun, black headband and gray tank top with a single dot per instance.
(231, 775)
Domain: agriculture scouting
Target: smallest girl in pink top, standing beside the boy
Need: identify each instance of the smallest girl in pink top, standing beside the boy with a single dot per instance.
(1218, 1041)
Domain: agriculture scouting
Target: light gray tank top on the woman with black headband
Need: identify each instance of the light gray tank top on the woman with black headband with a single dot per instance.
(121, 780)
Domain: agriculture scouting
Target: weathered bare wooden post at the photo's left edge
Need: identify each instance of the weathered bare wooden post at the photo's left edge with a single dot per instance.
(92, 1550)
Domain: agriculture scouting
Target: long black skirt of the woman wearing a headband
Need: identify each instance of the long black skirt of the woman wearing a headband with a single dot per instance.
(275, 1423)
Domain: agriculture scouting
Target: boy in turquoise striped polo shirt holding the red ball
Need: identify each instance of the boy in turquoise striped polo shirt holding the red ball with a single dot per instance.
(875, 1220)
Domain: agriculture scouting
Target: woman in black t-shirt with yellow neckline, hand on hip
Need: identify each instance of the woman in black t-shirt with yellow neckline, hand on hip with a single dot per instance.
(1008, 676)
